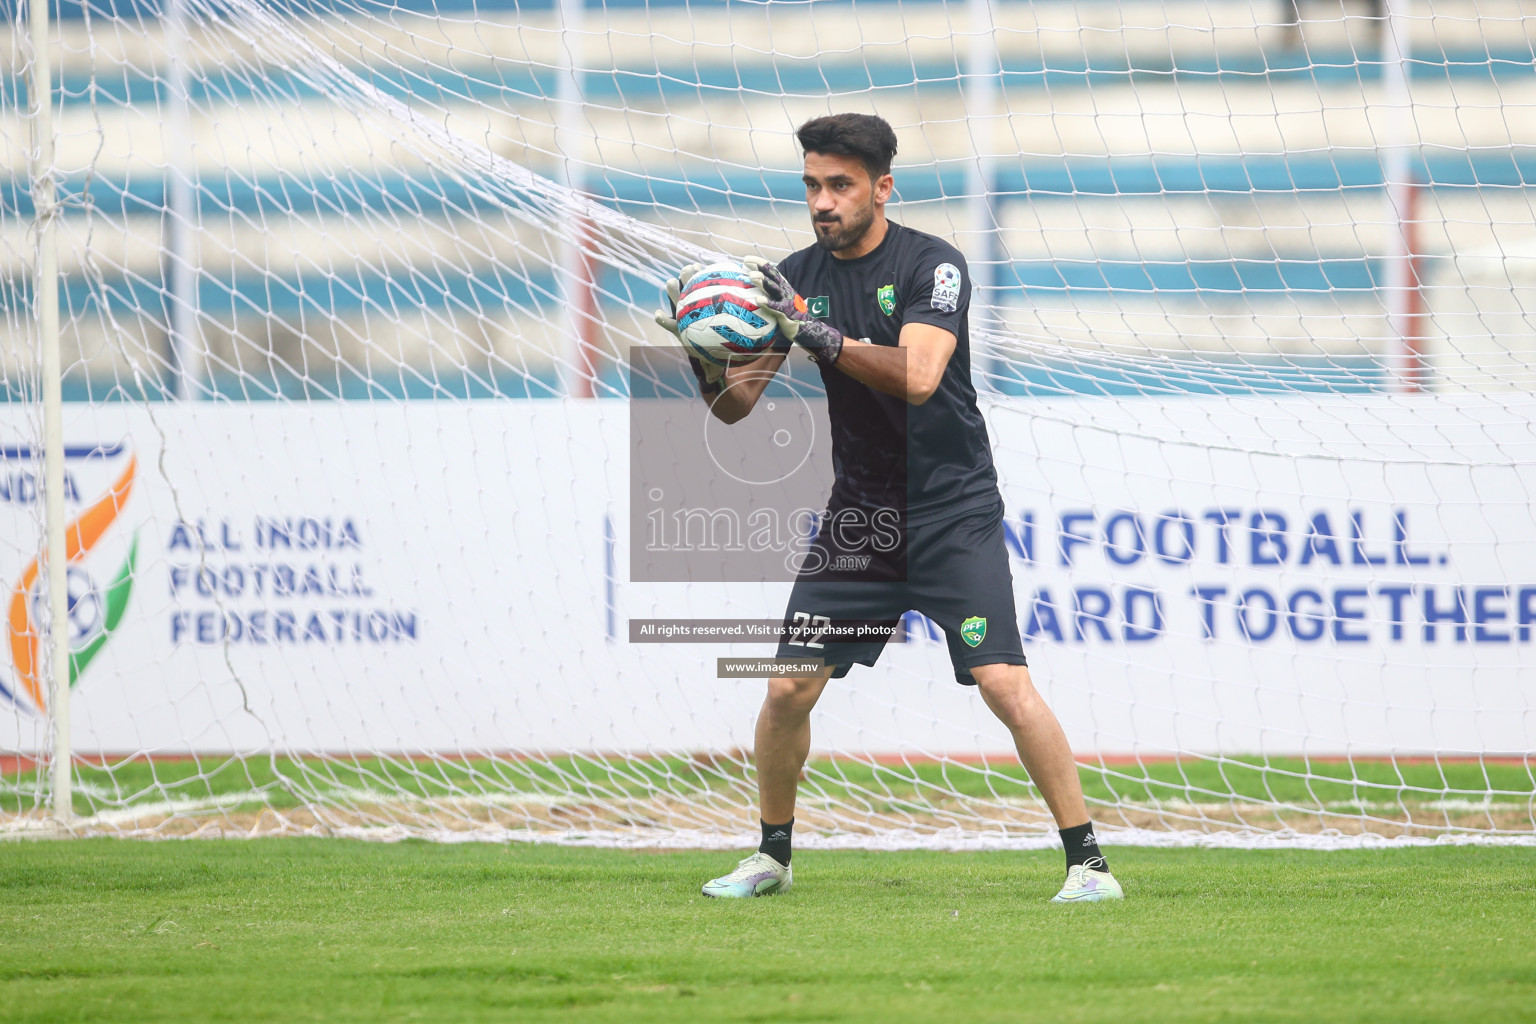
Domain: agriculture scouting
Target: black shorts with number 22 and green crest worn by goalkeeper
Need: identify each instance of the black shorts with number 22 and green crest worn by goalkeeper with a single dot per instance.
(956, 573)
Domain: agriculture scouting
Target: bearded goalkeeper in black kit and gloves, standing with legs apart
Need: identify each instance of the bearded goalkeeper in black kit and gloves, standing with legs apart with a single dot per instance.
(887, 325)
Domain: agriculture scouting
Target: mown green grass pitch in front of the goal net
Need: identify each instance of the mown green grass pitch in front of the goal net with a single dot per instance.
(343, 931)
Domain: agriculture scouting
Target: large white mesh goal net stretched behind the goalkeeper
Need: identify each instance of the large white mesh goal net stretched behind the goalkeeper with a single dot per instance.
(362, 398)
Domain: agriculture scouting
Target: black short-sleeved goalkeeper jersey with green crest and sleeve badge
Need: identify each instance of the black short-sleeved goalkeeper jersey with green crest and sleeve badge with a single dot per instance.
(935, 460)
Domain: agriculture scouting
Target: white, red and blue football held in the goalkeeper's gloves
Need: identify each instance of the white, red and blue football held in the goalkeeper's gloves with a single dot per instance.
(720, 319)
